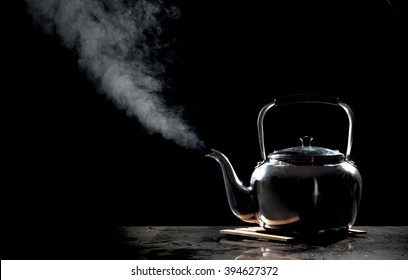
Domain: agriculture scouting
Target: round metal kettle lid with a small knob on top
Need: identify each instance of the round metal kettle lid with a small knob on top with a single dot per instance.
(307, 154)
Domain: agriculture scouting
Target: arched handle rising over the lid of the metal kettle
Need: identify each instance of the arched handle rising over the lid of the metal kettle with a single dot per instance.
(316, 99)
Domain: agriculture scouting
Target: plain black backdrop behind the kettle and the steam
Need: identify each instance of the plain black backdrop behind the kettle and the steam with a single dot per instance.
(74, 165)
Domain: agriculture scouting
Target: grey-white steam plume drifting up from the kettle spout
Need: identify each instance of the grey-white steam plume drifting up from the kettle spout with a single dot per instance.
(115, 41)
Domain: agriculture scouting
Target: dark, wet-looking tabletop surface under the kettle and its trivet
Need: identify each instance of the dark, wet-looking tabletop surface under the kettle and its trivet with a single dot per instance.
(206, 242)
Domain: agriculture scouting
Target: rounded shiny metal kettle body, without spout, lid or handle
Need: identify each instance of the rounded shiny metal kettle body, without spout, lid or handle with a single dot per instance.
(306, 198)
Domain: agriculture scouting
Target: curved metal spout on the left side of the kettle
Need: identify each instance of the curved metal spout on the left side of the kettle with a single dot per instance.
(240, 198)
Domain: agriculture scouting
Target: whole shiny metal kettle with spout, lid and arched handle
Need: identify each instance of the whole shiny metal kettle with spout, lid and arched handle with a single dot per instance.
(297, 189)
